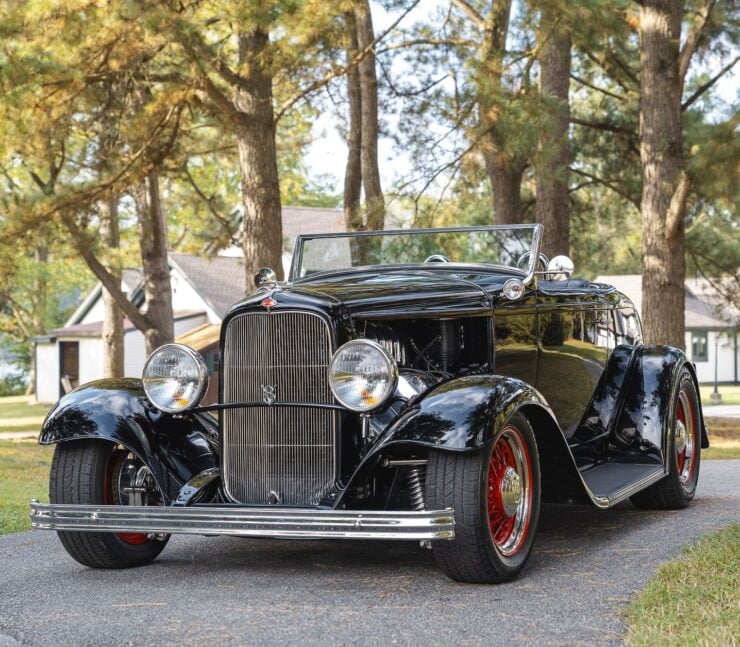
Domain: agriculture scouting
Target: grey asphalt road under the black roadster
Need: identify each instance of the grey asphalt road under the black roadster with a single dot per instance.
(585, 567)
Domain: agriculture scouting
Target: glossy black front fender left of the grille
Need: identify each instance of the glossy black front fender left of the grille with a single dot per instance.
(174, 449)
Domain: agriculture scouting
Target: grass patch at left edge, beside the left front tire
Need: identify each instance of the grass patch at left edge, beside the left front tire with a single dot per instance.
(24, 475)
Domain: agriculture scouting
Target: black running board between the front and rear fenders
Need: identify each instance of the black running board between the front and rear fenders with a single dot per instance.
(611, 483)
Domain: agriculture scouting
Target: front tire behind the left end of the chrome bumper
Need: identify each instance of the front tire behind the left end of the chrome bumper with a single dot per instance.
(82, 472)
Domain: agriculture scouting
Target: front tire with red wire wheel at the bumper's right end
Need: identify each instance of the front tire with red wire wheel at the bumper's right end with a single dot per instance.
(495, 494)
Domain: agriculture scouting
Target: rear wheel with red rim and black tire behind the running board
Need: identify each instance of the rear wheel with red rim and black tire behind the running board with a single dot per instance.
(676, 490)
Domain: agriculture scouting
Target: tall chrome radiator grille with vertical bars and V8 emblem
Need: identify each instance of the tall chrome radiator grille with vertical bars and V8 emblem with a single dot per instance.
(278, 454)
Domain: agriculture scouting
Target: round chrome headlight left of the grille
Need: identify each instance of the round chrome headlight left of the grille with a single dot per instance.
(175, 378)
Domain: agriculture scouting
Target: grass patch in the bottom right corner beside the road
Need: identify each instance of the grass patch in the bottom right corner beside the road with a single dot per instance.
(694, 599)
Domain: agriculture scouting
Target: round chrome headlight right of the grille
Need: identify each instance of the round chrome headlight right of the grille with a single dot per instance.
(362, 376)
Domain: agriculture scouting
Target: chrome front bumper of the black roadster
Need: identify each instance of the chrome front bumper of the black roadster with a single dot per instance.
(247, 522)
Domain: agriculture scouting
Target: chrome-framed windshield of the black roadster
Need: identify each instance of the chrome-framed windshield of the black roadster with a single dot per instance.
(506, 245)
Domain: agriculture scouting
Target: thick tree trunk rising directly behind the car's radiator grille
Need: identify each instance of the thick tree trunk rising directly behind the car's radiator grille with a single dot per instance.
(263, 230)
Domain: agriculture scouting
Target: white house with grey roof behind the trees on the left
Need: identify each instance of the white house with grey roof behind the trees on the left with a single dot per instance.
(203, 290)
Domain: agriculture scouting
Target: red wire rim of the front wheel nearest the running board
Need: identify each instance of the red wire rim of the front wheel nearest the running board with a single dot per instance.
(509, 491)
